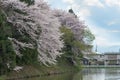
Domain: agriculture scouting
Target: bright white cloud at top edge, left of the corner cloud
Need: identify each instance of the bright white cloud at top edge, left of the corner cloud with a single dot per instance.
(93, 3)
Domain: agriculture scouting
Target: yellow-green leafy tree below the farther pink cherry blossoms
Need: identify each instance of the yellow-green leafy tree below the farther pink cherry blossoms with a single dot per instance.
(72, 47)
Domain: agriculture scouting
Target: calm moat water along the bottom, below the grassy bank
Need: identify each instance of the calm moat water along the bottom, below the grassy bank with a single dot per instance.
(87, 74)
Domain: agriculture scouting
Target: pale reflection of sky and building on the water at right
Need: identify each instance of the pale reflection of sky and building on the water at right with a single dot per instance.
(100, 74)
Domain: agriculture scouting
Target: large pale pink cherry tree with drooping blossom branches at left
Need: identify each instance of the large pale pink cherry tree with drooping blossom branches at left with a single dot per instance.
(39, 23)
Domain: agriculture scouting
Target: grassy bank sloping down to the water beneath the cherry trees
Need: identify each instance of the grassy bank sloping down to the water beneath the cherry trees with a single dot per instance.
(37, 70)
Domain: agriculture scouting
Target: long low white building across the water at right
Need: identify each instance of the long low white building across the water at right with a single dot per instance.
(104, 59)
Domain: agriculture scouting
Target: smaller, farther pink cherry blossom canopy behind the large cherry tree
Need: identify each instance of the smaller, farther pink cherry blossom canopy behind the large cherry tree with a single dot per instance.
(71, 22)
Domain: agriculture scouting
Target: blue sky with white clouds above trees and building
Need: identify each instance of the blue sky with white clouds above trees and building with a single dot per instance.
(101, 16)
